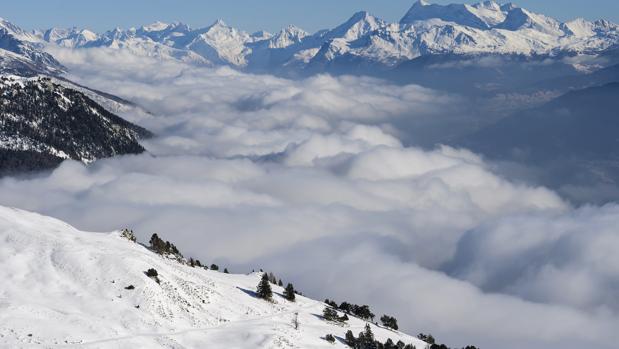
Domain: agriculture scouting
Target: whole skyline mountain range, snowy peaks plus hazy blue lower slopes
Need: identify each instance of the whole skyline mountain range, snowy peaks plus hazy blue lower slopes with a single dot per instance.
(487, 46)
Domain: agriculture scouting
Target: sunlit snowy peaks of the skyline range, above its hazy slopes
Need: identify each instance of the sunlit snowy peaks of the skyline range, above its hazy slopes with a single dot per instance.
(426, 29)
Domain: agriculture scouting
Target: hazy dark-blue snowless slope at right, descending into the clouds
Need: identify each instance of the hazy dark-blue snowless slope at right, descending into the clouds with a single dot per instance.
(569, 143)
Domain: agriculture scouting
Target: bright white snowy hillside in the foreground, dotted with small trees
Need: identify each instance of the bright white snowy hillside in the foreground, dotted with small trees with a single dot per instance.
(64, 288)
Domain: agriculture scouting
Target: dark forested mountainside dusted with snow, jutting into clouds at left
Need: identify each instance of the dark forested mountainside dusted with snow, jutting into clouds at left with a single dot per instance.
(44, 123)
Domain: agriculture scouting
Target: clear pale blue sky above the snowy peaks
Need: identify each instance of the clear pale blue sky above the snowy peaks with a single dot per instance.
(251, 15)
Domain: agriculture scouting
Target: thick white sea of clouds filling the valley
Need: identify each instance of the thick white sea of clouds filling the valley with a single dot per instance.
(312, 180)
